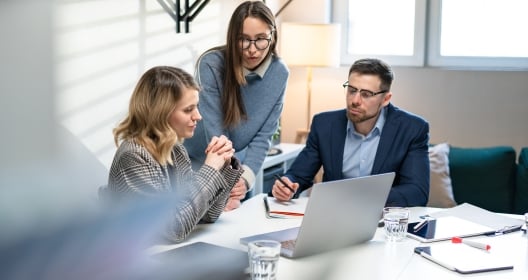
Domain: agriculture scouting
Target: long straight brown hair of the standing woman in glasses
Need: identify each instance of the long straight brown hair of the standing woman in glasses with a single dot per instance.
(231, 99)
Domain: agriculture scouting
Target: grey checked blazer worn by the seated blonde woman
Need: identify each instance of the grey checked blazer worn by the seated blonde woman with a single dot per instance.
(201, 195)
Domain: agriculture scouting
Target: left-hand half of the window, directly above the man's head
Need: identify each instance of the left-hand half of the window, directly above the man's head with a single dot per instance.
(394, 33)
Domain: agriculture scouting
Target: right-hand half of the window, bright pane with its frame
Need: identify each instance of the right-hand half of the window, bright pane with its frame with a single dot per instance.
(478, 33)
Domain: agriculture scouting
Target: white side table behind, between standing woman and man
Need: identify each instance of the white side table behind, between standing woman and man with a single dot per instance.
(288, 155)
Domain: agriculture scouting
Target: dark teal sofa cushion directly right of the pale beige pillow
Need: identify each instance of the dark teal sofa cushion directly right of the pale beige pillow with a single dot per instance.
(484, 177)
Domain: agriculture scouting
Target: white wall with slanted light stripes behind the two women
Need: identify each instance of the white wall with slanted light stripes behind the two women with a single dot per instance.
(103, 46)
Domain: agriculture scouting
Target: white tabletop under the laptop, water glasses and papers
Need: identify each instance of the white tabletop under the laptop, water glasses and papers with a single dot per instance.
(375, 259)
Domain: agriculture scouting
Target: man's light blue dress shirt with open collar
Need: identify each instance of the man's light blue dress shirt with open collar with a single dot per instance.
(360, 150)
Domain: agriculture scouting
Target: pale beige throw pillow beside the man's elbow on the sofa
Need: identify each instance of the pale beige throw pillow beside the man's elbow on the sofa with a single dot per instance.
(441, 191)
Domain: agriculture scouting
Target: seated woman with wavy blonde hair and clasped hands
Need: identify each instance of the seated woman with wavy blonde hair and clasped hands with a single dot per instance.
(151, 161)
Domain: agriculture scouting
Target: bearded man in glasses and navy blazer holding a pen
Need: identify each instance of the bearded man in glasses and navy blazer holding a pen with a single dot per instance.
(370, 136)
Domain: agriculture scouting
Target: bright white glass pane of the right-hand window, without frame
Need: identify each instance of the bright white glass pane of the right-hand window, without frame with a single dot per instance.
(489, 28)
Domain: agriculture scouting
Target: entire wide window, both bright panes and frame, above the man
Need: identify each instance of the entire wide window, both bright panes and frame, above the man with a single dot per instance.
(461, 33)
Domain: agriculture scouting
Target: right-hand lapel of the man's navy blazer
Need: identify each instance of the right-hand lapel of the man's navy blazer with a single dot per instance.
(386, 139)
